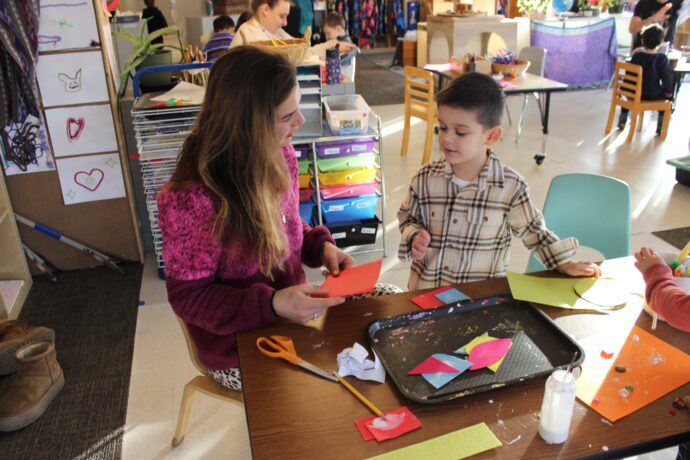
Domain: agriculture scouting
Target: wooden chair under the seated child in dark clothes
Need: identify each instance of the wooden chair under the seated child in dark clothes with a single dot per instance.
(627, 93)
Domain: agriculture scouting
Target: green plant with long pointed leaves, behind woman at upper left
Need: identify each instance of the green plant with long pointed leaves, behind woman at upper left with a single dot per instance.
(144, 50)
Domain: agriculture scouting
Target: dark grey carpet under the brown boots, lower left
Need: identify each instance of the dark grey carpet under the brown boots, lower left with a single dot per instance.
(94, 315)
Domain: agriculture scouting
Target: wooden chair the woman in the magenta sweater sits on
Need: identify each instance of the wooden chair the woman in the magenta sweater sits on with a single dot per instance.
(201, 383)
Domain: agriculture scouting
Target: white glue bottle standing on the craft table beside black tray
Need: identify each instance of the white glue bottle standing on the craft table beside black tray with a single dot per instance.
(557, 407)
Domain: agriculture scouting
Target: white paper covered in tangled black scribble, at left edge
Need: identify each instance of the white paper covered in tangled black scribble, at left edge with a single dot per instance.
(24, 148)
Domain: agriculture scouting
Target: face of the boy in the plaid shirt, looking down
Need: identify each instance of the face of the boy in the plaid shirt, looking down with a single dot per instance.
(463, 140)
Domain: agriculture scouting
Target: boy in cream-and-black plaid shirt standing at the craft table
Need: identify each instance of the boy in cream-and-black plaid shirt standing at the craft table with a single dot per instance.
(457, 220)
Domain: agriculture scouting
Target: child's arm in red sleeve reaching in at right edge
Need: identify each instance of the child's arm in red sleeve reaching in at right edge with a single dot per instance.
(663, 294)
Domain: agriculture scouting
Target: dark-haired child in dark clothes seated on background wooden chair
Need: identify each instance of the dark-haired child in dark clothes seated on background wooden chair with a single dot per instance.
(657, 75)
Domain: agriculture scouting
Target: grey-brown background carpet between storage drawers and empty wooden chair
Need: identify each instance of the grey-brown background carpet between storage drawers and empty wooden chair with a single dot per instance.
(377, 82)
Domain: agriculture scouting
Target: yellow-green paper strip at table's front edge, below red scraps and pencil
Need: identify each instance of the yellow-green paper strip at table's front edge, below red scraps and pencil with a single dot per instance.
(463, 443)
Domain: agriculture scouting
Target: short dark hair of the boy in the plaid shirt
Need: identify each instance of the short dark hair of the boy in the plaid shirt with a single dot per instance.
(476, 92)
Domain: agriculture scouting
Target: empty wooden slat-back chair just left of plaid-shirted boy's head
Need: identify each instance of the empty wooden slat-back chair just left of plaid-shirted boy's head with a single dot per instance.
(419, 102)
